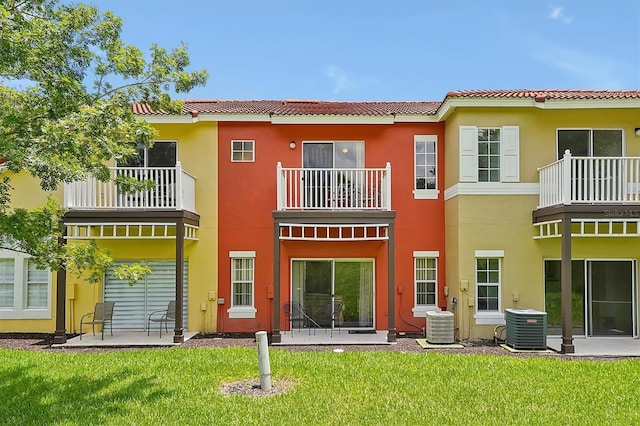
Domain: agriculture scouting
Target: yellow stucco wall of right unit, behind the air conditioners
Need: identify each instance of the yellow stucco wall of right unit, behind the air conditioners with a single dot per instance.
(504, 222)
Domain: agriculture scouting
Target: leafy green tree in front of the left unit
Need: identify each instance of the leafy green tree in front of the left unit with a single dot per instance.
(67, 83)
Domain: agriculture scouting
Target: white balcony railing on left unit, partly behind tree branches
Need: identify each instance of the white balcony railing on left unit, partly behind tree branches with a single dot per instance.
(172, 189)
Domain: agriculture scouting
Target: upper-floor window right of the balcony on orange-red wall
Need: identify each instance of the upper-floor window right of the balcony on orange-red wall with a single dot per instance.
(425, 166)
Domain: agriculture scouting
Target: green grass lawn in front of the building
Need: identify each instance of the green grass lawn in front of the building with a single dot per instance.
(181, 386)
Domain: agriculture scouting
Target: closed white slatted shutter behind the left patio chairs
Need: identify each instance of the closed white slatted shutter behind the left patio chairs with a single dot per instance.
(133, 304)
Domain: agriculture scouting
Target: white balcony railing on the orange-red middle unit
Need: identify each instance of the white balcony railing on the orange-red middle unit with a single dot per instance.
(334, 189)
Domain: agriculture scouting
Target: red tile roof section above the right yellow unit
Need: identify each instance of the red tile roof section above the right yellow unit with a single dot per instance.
(546, 94)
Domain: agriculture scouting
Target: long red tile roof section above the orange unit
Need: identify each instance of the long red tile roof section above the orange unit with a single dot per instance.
(298, 108)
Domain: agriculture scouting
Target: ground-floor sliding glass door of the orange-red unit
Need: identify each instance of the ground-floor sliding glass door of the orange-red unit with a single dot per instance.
(316, 284)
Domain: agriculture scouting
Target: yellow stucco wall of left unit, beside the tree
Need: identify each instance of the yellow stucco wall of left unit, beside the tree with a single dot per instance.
(197, 152)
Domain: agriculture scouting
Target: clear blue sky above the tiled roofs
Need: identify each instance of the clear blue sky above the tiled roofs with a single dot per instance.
(391, 50)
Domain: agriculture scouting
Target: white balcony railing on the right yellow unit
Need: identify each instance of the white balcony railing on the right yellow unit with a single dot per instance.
(590, 180)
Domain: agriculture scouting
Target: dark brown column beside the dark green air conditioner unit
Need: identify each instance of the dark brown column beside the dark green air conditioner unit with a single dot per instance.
(566, 347)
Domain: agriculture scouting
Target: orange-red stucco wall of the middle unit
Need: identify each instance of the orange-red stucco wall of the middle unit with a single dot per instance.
(247, 198)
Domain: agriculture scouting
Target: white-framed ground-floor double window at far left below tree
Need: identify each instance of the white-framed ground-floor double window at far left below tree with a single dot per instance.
(24, 288)
